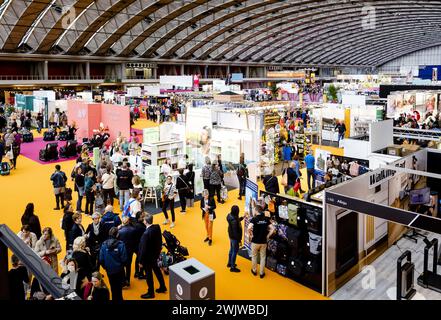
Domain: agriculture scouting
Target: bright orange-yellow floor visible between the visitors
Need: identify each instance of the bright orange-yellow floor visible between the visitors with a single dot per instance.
(30, 183)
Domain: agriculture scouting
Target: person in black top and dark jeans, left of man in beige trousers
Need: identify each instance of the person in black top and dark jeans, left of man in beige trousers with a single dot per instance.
(235, 235)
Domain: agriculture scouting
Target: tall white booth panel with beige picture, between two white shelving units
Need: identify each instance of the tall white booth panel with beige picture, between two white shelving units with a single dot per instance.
(198, 134)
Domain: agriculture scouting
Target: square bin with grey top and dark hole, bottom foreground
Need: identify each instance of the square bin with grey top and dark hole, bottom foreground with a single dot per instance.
(191, 280)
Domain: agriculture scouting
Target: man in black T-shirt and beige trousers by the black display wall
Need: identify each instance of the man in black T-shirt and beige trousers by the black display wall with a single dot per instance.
(260, 230)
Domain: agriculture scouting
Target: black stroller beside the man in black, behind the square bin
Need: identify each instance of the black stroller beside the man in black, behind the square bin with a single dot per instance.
(175, 252)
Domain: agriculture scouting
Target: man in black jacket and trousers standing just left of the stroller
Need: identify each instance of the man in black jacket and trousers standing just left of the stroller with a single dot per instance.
(149, 250)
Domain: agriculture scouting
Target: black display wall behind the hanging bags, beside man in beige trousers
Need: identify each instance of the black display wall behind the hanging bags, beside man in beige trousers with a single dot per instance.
(309, 277)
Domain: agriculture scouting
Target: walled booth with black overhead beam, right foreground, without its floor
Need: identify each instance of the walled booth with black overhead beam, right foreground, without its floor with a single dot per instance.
(370, 213)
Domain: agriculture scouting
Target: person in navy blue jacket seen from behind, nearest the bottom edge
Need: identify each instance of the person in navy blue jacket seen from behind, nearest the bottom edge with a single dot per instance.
(113, 257)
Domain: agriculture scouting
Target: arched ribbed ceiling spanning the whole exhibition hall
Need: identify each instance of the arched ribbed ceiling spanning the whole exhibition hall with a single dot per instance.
(324, 32)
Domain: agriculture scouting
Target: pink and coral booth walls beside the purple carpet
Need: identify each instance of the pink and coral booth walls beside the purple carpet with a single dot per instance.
(88, 116)
